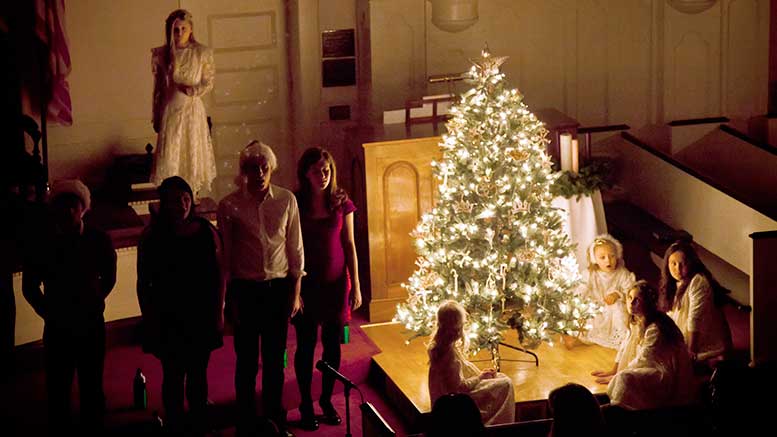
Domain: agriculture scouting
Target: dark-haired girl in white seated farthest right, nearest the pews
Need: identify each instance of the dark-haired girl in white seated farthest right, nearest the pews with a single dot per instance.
(690, 293)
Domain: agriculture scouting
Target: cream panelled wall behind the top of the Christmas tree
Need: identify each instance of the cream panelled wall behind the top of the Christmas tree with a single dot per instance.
(600, 61)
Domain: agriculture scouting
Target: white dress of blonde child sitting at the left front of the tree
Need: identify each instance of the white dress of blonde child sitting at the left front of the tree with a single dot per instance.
(452, 373)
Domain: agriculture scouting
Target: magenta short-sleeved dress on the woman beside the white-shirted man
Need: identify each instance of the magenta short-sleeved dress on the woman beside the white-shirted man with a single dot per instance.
(326, 286)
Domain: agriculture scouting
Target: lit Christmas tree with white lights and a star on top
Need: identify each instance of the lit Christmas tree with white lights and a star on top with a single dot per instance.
(493, 242)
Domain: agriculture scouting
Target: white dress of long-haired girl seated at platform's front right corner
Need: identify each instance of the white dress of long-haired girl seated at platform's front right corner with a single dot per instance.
(659, 376)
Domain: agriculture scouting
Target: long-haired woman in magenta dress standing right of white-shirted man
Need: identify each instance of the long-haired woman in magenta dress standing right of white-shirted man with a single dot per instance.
(330, 288)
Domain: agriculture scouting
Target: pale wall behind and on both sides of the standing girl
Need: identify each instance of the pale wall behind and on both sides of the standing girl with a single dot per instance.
(111, 84)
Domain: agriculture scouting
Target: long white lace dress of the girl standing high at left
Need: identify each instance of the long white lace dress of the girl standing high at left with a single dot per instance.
(184, 146)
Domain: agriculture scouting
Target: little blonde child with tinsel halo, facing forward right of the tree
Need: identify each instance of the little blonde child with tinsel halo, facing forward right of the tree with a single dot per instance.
(606, 281)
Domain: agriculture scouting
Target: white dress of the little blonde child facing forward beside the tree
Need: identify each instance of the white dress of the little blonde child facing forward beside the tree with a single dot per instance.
(611, 326)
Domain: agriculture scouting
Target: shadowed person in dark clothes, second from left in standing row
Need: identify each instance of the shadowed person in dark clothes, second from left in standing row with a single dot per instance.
(181, 296)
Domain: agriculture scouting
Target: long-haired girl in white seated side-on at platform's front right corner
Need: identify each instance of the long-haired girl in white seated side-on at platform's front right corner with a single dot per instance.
(661, 373)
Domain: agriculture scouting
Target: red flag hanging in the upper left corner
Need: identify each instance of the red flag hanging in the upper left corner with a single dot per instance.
(50, 29)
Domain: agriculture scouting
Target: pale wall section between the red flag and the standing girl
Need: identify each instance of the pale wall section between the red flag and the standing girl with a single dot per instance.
(110, 84)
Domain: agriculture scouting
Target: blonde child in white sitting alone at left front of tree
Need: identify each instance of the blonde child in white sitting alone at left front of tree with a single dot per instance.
(451, 372)
